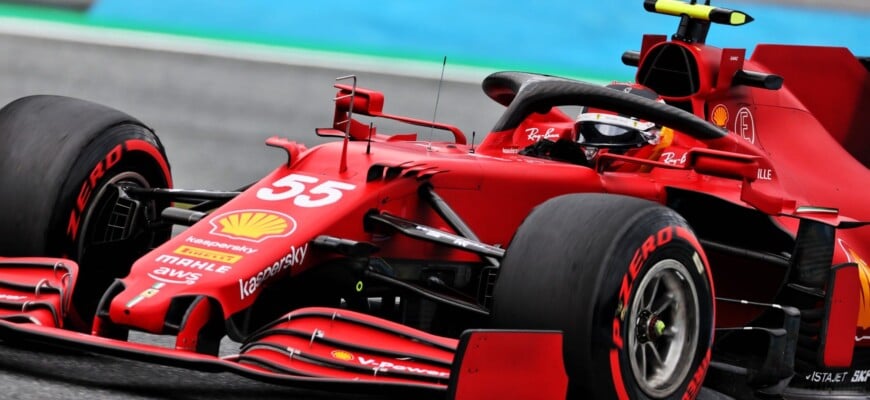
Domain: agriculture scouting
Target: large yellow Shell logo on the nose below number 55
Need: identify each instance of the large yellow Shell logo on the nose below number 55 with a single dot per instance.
(252, 225)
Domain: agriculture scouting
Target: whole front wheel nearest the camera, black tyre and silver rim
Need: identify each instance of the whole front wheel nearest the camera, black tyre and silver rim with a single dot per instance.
(626, 281)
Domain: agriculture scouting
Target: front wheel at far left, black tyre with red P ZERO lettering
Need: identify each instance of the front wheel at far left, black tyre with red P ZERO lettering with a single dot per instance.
(61, 162)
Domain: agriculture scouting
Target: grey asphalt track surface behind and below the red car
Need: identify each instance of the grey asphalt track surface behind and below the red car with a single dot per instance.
(213, 115)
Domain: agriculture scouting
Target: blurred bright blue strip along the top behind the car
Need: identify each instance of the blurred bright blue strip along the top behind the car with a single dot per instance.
(579, 38)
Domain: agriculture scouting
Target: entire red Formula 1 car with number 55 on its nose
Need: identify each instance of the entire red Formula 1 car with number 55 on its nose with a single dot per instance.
(649, 247)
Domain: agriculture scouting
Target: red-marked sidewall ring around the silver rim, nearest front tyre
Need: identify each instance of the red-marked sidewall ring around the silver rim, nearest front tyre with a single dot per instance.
(655, 235)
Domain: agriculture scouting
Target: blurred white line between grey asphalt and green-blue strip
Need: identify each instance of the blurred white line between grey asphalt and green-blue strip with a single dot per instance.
(346, 63)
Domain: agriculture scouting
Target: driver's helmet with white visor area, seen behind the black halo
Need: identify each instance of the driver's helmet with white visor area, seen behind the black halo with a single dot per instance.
(602, 128)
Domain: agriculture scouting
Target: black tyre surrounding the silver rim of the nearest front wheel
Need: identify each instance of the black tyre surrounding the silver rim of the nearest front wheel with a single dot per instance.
(565, 270)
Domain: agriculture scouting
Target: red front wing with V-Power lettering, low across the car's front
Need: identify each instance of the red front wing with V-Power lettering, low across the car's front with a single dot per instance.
(313, 348)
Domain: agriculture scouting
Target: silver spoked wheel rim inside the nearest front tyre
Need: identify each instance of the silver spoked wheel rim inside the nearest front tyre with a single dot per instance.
(663, 328)
